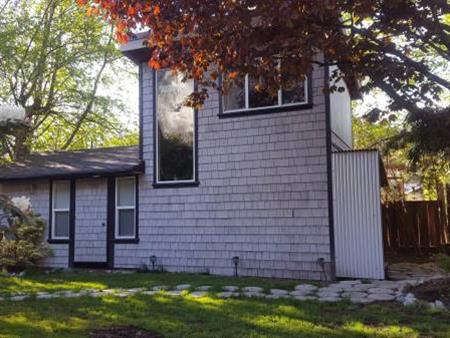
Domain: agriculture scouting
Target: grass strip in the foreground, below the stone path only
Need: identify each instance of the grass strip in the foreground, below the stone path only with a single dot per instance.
(210, 317)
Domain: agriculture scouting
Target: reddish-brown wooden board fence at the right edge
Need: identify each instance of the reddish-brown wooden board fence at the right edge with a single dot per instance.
(415, 225)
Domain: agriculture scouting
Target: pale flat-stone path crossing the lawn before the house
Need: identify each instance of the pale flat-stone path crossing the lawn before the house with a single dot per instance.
(353, 291)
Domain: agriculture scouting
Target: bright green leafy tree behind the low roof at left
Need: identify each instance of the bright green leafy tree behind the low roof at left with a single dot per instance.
(53, 62)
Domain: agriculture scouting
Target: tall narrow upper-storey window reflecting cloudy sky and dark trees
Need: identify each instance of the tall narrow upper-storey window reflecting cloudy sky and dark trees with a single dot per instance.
(175, 130)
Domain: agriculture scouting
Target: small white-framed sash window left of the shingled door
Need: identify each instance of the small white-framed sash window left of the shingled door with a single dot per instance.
(60, 210)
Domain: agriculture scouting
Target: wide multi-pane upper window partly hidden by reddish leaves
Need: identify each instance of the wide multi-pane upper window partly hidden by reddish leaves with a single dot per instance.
(246, 98)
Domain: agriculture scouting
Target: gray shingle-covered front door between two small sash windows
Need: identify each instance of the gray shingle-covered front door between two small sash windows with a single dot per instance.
(90, 242)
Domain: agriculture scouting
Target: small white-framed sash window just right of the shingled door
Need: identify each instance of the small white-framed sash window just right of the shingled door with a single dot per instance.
(125, 208)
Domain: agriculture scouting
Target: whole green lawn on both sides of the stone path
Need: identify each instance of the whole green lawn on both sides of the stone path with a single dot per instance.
(204, 317)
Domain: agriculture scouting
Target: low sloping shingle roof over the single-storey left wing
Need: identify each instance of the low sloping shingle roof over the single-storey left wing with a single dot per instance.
(78, 163)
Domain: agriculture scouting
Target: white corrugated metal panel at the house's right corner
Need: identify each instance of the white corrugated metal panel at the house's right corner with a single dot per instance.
(357, 215)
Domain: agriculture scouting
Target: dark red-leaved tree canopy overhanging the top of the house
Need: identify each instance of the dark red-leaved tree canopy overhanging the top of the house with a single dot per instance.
(388, 44)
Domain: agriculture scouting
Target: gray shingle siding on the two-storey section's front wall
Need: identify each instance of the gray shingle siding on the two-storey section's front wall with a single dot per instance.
(262, 196)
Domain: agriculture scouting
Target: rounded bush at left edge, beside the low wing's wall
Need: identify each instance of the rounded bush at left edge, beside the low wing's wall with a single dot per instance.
(21, 235)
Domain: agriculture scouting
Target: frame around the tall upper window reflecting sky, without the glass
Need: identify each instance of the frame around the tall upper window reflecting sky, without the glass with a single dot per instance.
(156, 138)
